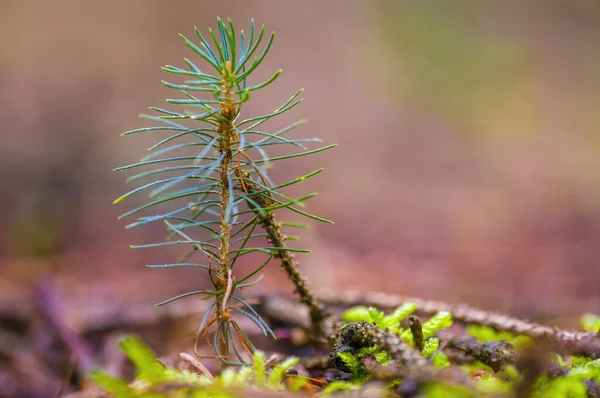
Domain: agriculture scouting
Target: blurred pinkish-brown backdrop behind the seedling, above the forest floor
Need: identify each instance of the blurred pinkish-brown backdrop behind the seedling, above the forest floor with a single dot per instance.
(467, 167)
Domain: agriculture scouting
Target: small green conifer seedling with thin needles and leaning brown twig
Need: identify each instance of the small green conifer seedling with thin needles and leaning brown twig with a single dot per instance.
(208, 181)
